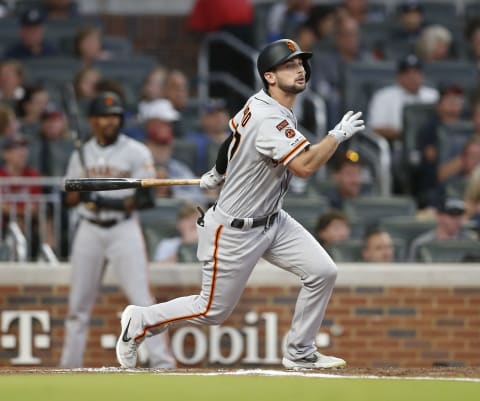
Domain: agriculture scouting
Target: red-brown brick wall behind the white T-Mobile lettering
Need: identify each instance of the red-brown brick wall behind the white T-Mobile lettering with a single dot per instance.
(368, 326)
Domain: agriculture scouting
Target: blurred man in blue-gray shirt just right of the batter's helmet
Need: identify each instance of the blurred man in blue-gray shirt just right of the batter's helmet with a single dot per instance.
(328, 66)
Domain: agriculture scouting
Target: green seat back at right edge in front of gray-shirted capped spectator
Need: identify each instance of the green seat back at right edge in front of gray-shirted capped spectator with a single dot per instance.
(451, 251)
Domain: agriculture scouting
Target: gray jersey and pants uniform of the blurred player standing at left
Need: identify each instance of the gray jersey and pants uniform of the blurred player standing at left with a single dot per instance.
(121, 244)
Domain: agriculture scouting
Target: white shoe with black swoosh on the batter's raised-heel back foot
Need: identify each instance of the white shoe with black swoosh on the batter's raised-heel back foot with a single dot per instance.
(126, 348)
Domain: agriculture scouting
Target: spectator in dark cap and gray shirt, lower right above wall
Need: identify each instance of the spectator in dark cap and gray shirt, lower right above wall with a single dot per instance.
(450, 219)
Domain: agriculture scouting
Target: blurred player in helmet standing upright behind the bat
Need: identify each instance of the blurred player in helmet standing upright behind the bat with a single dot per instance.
(108, 230)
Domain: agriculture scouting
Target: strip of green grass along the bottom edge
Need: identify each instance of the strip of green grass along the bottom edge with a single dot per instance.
(155, 386)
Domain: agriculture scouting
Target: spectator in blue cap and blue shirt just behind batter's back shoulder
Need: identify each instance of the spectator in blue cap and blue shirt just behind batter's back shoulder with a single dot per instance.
(214, 125)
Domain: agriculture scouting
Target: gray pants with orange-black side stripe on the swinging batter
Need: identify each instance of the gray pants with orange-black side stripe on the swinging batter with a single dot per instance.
(229, 255)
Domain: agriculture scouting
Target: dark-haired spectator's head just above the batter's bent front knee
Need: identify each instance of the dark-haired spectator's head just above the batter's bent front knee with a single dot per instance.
(332, 226)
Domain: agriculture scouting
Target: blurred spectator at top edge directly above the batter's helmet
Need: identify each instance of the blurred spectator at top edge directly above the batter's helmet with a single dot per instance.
(284, 18)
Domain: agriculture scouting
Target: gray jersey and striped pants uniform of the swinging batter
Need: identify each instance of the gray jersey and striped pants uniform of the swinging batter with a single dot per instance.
(246, 224)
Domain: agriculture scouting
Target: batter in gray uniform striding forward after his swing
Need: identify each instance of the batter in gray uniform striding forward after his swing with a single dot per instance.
(247, 222)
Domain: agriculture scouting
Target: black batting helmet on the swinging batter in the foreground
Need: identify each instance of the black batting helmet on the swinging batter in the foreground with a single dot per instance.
(279, 52)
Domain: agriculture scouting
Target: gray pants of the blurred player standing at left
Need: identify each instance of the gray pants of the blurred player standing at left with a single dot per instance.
(124, 247)
